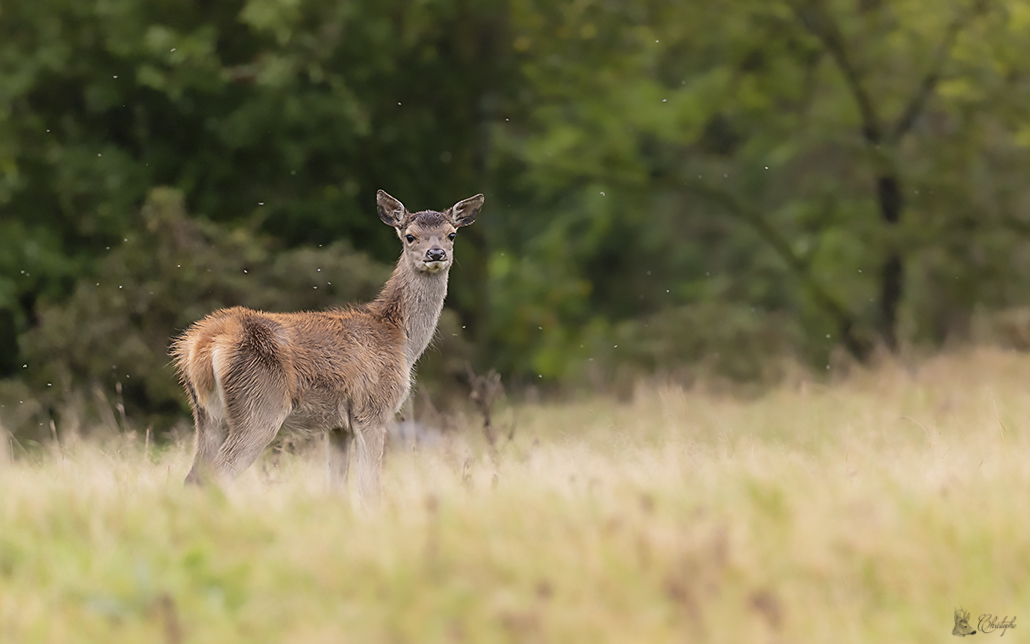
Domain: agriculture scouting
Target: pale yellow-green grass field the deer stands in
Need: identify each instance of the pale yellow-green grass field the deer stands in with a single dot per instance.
(867, 511)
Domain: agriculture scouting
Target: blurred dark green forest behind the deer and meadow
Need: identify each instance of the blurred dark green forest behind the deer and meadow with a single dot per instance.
(686, 189)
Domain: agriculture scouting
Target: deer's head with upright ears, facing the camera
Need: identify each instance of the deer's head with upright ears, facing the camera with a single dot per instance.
(428, 236)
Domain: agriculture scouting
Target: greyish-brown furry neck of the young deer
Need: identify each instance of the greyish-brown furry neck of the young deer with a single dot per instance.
(414, 300)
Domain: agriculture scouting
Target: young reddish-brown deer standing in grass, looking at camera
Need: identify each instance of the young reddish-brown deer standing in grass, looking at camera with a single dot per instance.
(345, 372)
